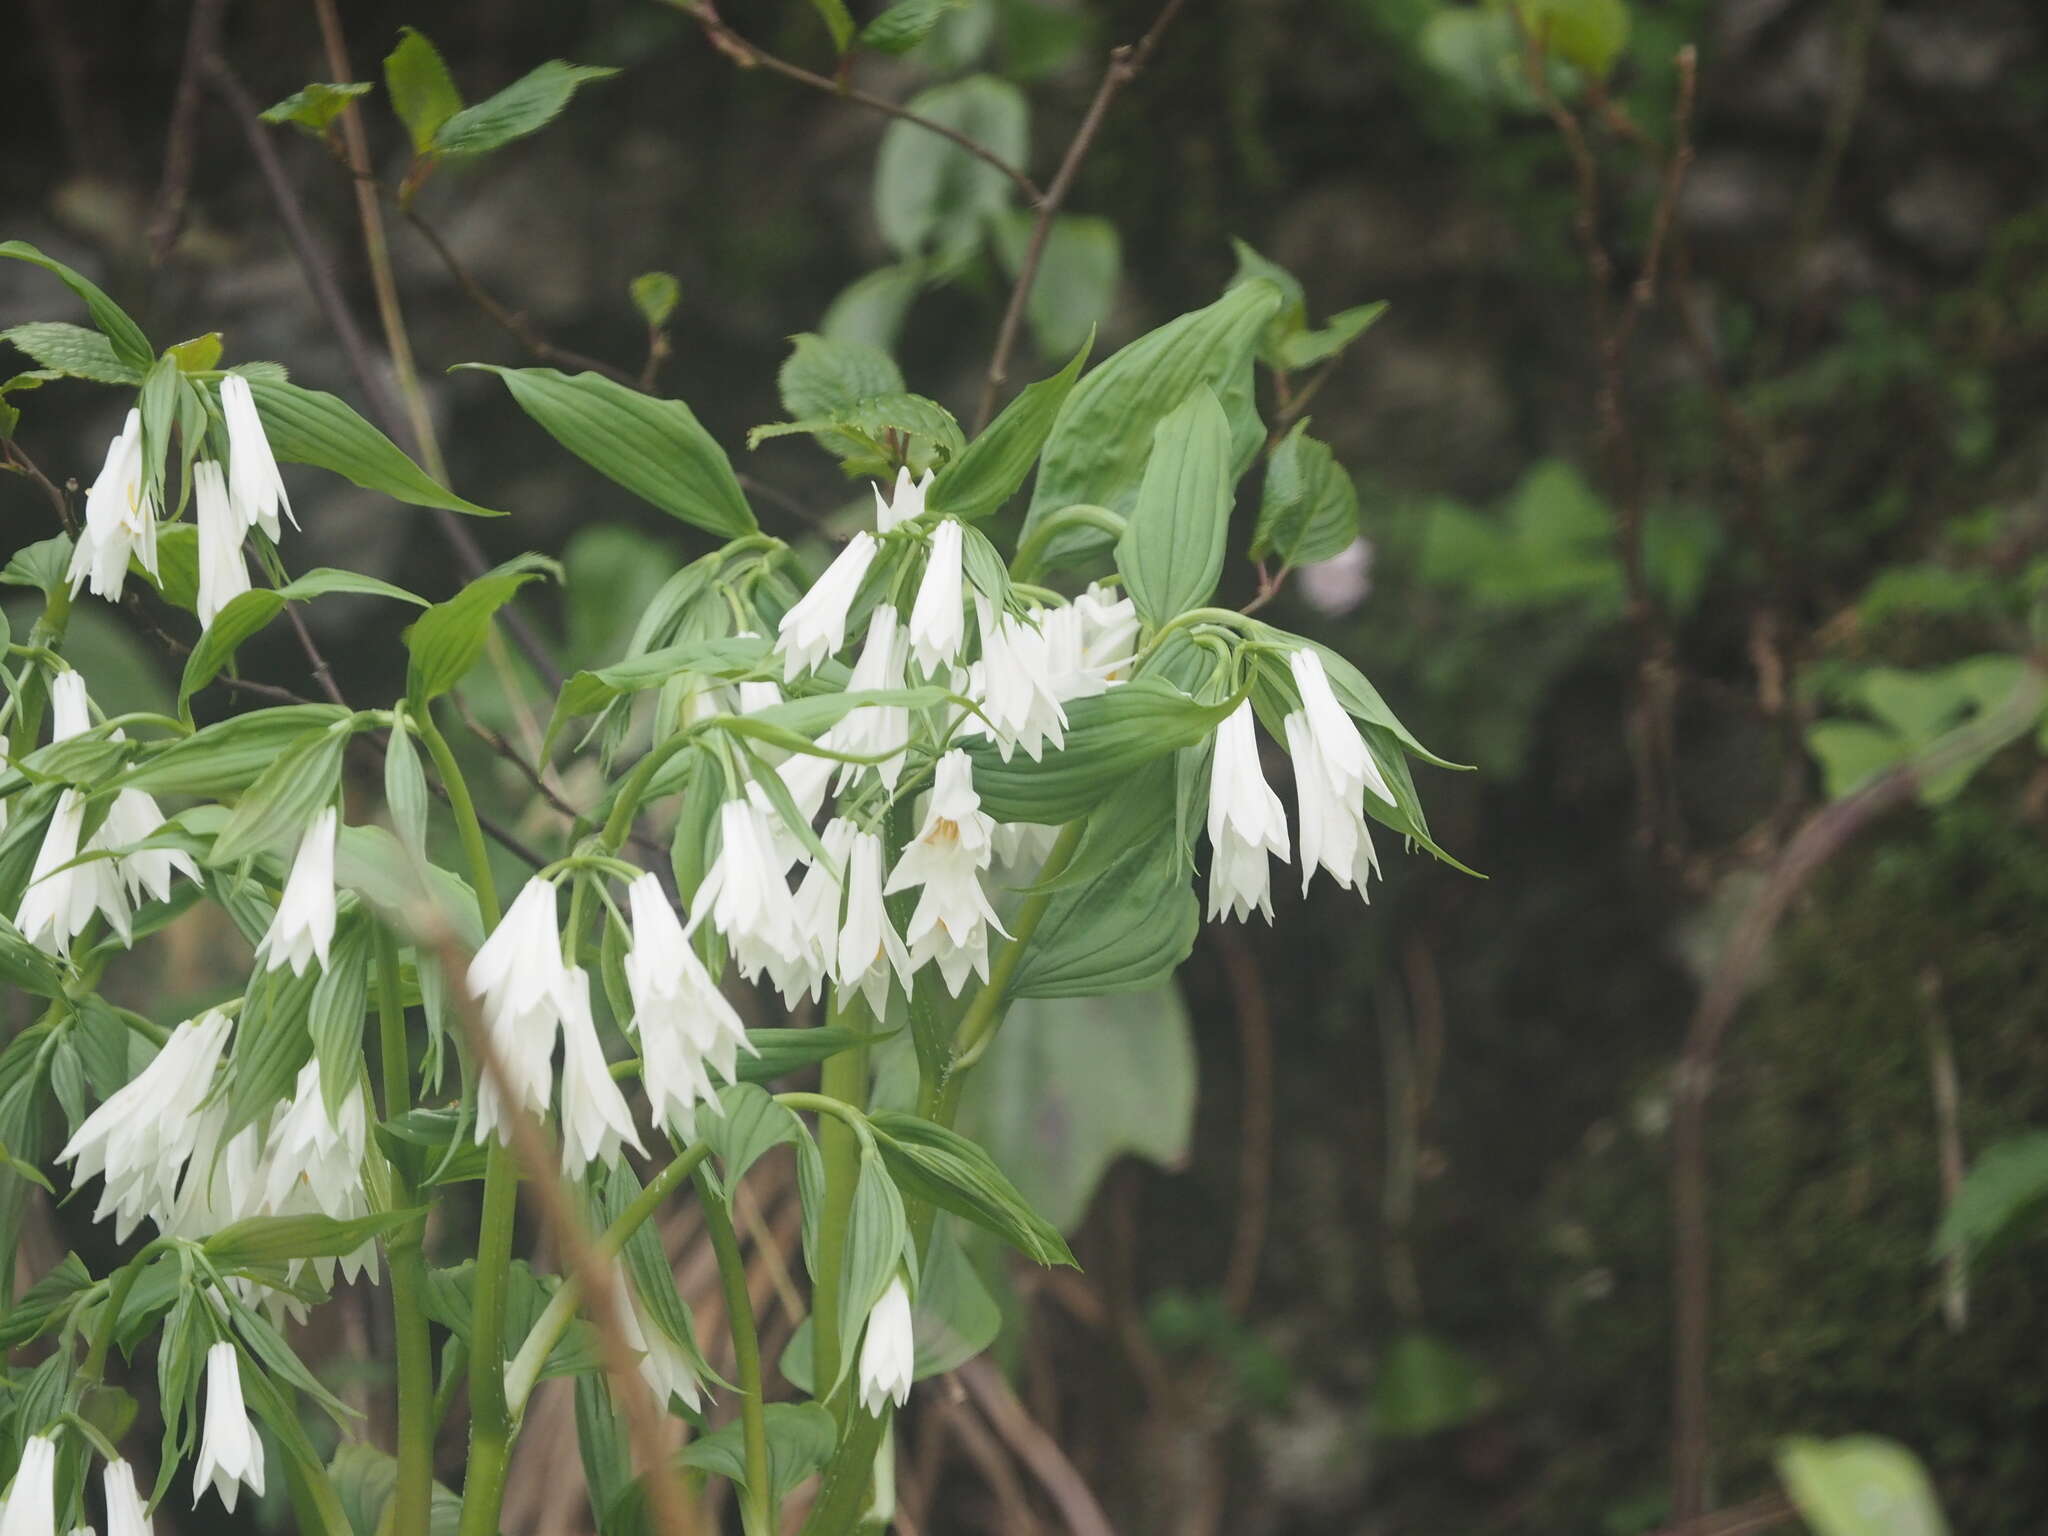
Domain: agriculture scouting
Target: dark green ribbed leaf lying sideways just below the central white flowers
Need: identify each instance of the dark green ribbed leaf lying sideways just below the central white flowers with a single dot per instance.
(1109, 738)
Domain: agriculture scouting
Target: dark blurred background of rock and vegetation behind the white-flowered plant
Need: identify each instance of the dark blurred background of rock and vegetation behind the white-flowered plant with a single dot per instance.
(1435, 1132)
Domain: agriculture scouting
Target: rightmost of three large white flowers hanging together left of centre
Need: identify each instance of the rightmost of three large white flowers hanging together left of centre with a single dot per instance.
(685, 1023)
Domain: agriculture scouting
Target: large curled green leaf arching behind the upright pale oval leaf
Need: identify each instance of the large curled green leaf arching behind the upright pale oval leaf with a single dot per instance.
(1103, 437)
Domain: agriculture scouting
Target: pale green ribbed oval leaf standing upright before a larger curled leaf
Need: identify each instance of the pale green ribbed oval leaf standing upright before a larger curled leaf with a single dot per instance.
(1172, 548)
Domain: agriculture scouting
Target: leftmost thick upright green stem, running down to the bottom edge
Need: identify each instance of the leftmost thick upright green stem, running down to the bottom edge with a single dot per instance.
(413, 1494)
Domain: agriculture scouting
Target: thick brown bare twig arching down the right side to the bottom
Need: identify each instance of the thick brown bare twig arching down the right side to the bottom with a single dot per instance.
(1820, 839)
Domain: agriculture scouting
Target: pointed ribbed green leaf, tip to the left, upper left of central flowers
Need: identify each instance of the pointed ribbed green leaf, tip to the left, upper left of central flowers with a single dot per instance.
(654, 447)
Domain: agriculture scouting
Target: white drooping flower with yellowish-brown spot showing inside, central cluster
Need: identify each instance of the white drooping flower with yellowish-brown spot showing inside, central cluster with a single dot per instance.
(953, 916)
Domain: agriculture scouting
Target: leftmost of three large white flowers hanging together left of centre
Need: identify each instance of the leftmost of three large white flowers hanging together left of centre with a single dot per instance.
(523, 984)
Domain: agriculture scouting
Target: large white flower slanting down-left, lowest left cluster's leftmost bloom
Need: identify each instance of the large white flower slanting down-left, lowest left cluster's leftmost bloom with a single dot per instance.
(144, 1136)
